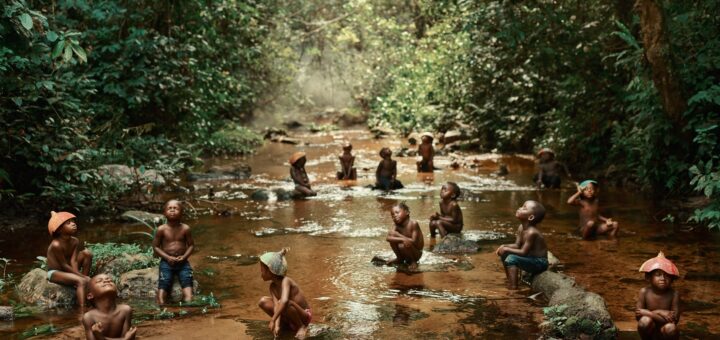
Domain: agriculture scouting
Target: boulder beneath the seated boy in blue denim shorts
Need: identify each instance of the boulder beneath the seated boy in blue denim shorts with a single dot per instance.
(142, 283)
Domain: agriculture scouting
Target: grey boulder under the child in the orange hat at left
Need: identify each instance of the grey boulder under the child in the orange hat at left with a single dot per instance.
(35, 289)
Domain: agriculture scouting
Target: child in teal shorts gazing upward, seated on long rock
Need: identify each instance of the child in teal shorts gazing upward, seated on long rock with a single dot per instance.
(529, 252)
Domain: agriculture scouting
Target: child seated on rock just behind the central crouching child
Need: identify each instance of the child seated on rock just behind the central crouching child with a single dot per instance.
(449, 220)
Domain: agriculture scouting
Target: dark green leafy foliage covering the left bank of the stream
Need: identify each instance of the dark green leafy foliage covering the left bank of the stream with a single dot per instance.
(87, 84)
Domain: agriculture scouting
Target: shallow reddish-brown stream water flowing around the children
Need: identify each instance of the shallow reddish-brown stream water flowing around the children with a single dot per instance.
(332, 238)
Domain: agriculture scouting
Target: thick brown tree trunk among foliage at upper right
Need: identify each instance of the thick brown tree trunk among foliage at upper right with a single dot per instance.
(657, 51)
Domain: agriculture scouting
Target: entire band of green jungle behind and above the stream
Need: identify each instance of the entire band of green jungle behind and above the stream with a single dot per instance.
(626, 91)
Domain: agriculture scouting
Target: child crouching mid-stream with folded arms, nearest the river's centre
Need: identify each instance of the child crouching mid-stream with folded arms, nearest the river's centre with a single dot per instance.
(406, 239)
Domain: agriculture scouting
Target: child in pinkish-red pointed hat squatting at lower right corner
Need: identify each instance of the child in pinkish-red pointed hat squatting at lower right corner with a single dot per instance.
(658, 310)
